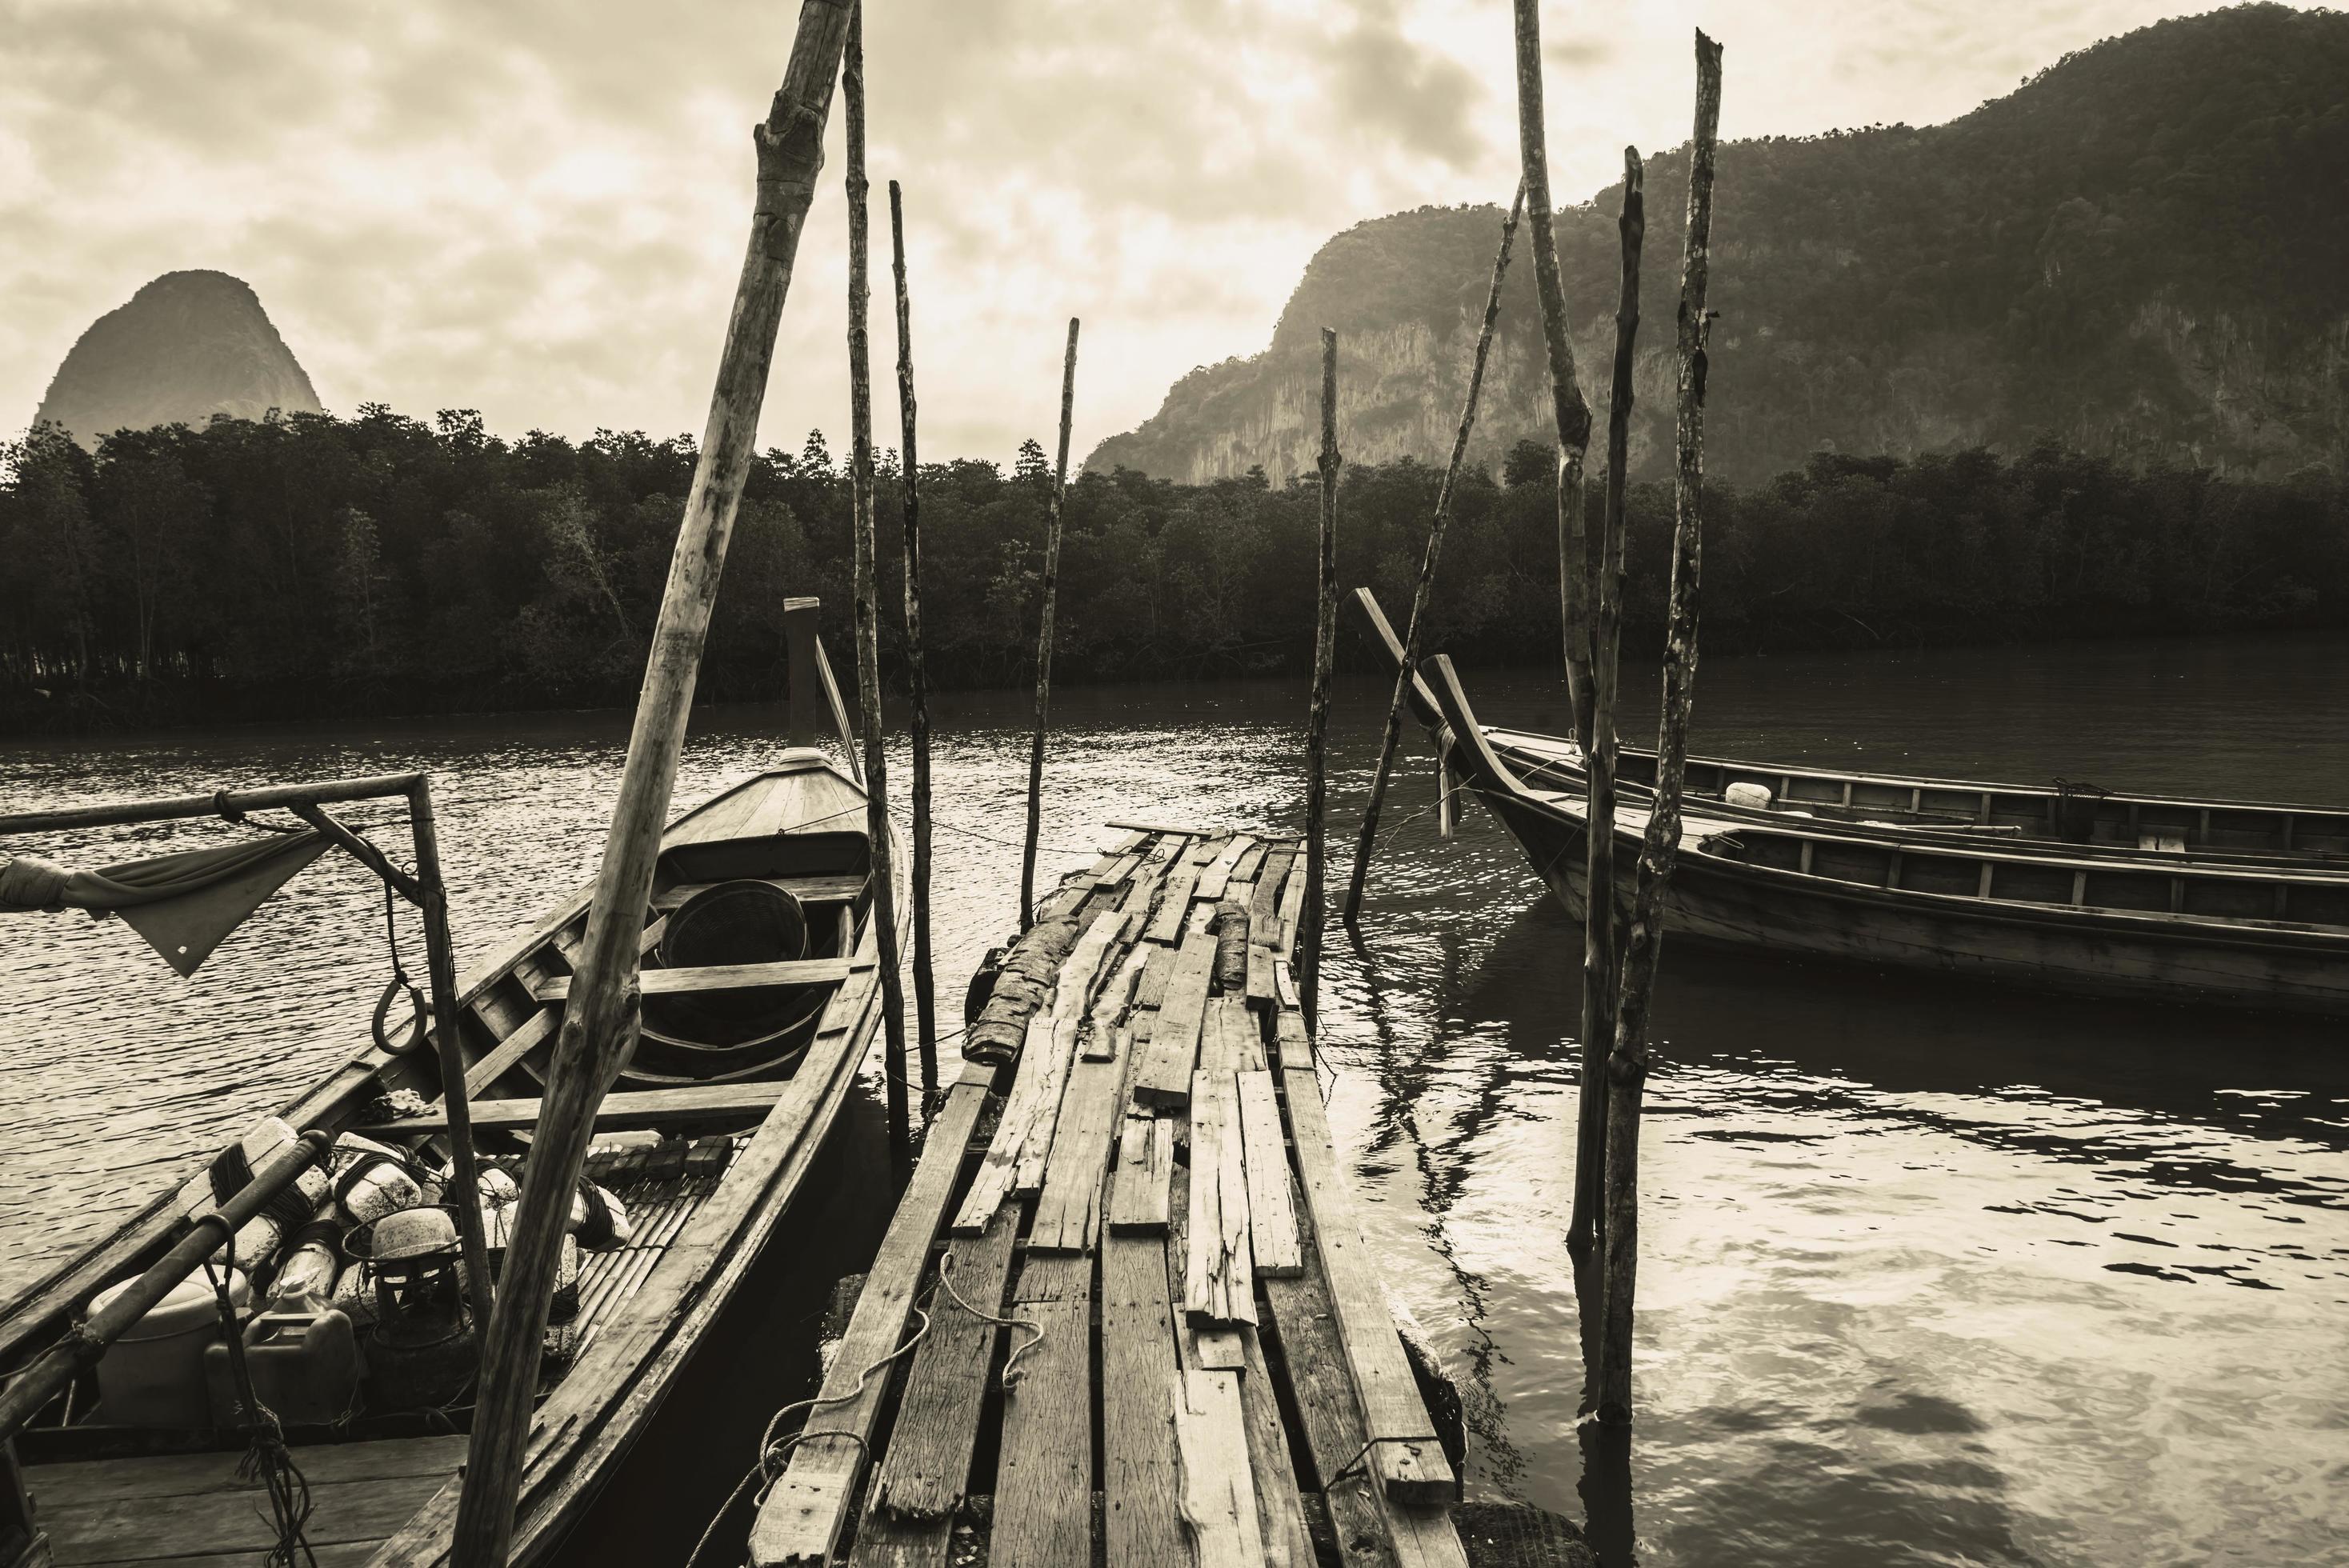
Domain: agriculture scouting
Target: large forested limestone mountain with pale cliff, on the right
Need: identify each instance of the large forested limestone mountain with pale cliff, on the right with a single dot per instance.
(2136, 255)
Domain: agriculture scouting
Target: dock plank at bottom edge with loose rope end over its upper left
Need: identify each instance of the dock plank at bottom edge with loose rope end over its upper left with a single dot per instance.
(1044, 1475)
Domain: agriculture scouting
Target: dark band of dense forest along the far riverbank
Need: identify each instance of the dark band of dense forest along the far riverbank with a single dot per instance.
(391, 567)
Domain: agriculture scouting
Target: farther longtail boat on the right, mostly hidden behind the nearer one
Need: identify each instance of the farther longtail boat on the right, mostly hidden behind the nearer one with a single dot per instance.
(2066, 816)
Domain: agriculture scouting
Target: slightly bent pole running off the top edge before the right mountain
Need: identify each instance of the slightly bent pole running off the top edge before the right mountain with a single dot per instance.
(1568, 407)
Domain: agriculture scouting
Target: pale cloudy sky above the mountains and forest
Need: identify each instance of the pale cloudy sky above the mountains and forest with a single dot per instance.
(537, 208)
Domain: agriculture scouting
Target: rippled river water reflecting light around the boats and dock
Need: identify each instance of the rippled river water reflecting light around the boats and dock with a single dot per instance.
(1932, 1273)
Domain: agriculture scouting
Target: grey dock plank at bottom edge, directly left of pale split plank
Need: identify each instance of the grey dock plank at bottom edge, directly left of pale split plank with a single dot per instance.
(1140, 1468)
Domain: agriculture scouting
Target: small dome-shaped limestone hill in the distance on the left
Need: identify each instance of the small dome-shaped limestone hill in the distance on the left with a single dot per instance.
(184, 349)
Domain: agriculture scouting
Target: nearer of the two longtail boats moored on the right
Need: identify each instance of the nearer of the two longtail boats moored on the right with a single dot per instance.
(2127, 926)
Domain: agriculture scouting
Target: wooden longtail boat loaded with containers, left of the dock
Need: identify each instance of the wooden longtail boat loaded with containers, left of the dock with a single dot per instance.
(760, 1003)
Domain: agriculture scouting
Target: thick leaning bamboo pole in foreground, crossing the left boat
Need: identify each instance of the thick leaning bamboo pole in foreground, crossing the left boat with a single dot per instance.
(600, 1020)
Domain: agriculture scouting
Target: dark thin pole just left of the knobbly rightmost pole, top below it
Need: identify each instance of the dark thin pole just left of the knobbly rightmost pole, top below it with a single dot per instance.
(1601, 971)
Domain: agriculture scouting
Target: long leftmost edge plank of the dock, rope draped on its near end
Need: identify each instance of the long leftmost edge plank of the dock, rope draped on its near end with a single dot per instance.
(807, 1508)
